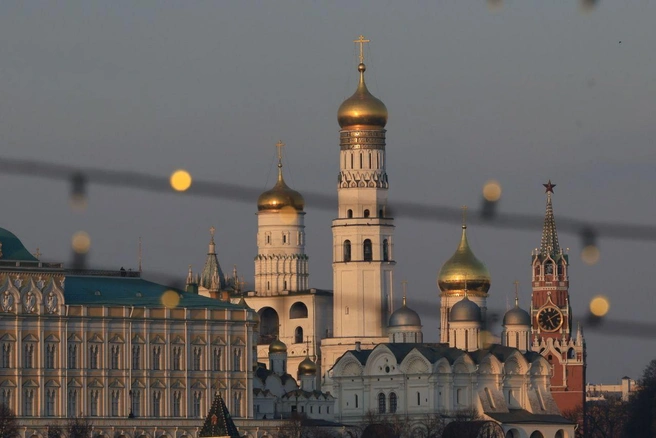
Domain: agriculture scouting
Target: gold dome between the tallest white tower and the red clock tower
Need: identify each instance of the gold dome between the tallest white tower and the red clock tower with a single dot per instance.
(464, 271)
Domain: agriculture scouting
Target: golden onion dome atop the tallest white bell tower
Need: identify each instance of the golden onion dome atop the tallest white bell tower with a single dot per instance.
(362, 109)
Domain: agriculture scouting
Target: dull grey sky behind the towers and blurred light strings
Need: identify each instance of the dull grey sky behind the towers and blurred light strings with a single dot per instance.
(520, 92)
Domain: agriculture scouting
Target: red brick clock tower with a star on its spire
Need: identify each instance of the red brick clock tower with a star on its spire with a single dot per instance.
(551, 316)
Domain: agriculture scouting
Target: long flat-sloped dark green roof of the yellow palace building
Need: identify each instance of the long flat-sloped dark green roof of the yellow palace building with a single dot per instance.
(126, 291)
